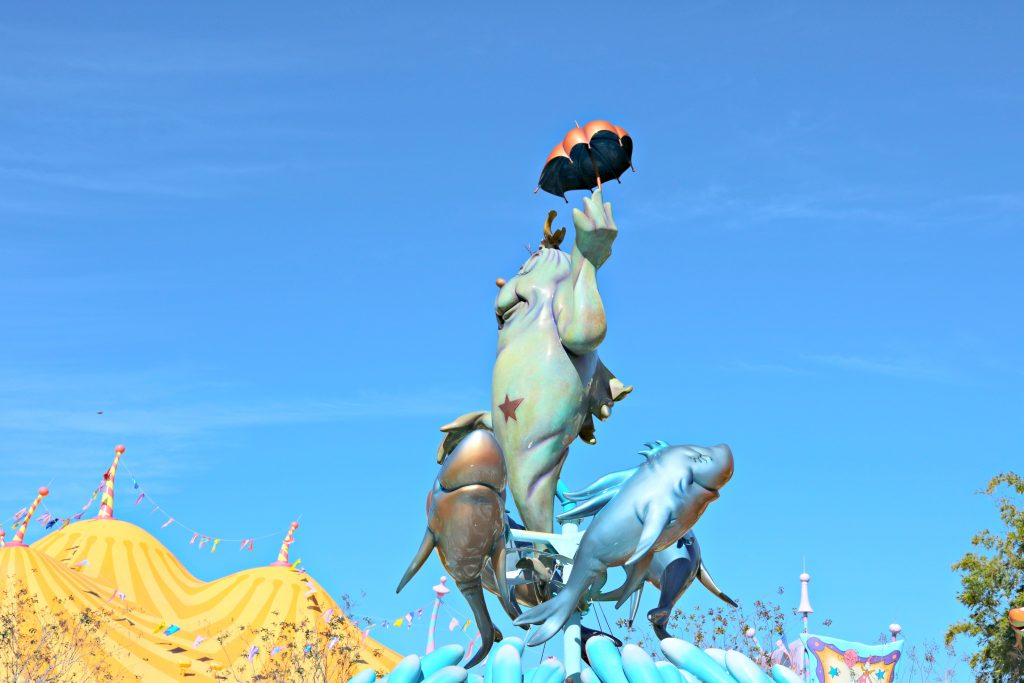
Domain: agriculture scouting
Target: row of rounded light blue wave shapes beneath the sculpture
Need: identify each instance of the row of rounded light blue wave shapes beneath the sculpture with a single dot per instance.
(687, 664)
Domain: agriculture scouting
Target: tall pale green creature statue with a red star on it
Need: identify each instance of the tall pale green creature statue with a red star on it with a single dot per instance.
(548, 381)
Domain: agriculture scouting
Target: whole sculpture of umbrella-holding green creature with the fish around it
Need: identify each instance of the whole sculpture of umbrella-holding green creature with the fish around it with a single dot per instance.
(547, 387)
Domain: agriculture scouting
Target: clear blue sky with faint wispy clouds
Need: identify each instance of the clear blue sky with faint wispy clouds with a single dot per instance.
(264, 243)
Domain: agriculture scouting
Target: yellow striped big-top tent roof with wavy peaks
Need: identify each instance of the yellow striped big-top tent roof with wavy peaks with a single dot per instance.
(93, 563)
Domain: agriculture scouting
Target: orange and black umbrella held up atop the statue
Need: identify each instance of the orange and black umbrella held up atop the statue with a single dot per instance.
(587, 157)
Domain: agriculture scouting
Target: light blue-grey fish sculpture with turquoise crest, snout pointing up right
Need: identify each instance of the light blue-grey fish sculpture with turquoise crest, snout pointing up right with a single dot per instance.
(649, 510)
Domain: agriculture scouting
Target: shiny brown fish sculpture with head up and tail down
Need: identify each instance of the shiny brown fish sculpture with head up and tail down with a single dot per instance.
(466, 525)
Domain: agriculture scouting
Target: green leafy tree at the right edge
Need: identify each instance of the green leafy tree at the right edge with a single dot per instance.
(993, 580)
